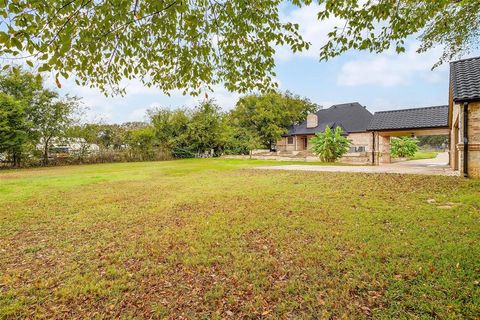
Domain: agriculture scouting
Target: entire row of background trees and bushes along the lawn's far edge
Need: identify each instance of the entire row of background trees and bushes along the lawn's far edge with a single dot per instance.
(39, 127)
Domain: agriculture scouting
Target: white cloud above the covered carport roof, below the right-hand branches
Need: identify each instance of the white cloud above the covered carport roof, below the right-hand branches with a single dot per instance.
(391, 69)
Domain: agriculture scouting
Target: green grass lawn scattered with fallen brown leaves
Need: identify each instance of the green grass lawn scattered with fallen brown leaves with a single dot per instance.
(212, 239)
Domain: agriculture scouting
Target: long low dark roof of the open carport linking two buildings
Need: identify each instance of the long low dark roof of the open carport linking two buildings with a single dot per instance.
(429, 117)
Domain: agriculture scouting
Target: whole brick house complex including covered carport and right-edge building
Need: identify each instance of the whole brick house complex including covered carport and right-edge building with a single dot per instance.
(370, 134)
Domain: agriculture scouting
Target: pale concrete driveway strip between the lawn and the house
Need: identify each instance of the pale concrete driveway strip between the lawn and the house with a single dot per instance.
(437, 166)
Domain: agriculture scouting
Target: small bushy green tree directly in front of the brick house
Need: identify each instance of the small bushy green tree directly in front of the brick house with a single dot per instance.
(330, 145)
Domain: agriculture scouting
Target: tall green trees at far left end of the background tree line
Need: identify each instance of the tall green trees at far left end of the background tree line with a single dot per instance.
(31, 117)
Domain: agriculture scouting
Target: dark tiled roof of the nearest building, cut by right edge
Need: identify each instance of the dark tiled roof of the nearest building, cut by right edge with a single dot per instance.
(465, 79)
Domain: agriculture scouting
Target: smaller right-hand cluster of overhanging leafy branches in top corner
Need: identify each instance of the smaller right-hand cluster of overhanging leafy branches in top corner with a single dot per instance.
(378, 25)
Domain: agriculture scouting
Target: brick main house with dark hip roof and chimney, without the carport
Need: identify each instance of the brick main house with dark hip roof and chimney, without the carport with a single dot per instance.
(354, 120)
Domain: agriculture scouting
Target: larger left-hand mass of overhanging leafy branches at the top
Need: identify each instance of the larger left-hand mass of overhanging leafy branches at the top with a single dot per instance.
(173, 44)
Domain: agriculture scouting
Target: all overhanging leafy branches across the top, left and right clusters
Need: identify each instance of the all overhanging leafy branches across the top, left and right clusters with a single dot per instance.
(192, 45)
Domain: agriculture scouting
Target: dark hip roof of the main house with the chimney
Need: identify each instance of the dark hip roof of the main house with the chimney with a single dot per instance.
(352, 117)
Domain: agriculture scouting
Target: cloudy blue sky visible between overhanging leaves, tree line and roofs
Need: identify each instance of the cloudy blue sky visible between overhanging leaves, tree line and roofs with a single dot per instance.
(378, 81)
